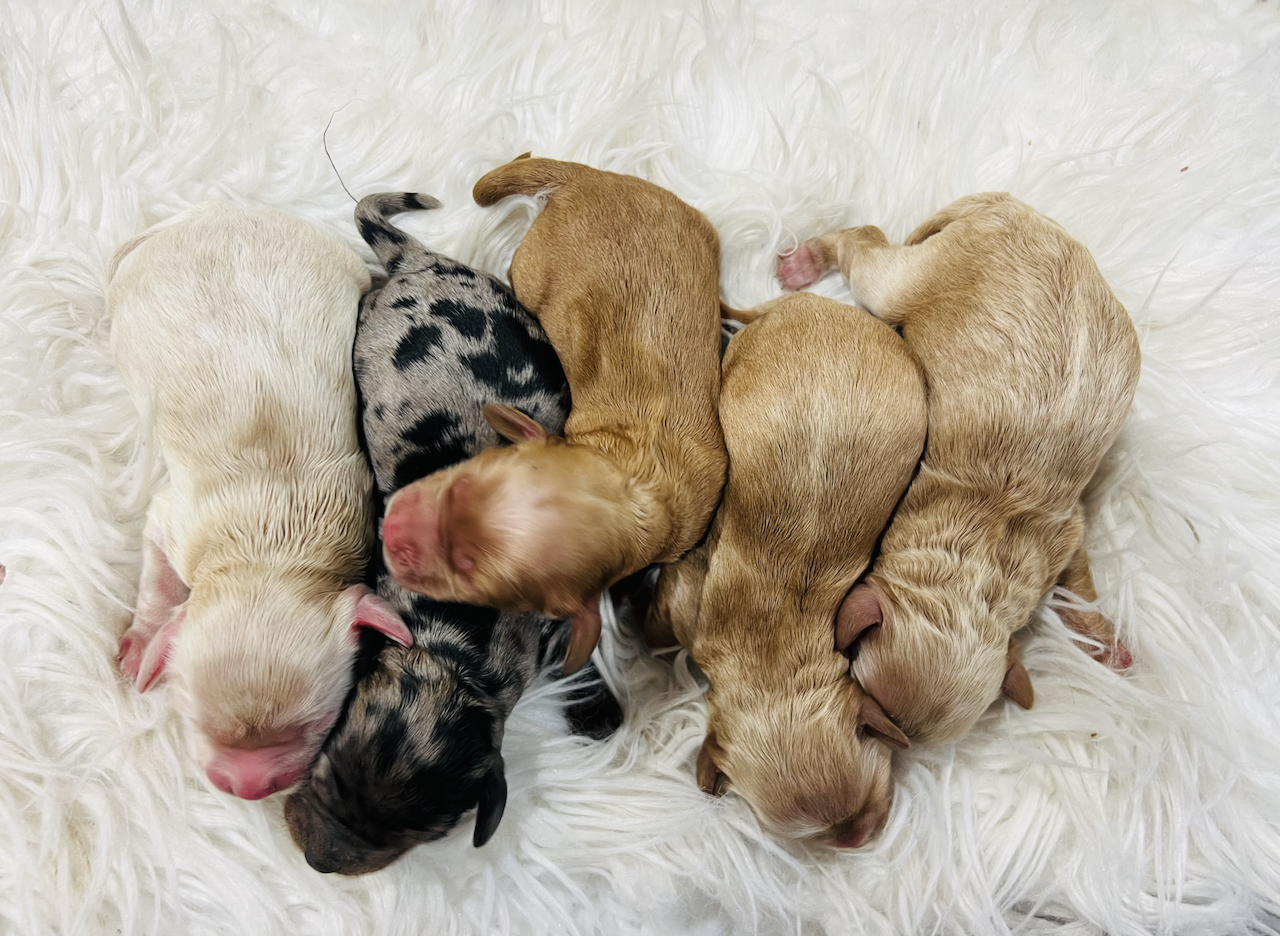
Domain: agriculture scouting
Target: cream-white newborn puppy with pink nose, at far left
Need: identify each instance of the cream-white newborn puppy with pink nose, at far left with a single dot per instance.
(232, 331)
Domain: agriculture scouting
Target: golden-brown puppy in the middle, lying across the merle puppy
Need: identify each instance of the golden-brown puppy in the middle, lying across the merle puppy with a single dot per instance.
(625, 280)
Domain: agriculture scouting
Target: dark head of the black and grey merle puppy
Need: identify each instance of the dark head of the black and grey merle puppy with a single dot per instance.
(415, 751)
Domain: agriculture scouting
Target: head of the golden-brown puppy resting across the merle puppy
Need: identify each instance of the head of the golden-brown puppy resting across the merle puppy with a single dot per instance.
(533, 527)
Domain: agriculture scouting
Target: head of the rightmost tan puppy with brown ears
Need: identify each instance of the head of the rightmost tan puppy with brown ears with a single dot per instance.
(932, 681)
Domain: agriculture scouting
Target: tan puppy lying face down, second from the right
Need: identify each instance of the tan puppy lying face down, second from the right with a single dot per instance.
(825, 418)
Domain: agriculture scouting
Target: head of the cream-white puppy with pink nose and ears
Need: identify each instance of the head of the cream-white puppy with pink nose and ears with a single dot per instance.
(263, 668)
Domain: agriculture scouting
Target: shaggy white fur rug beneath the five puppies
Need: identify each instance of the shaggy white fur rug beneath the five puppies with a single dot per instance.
(1151, 130)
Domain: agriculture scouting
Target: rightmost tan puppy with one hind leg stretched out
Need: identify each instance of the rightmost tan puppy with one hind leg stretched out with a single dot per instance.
(1032, 364)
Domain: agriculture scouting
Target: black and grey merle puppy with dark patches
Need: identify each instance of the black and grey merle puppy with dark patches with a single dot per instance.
(420, 741)
